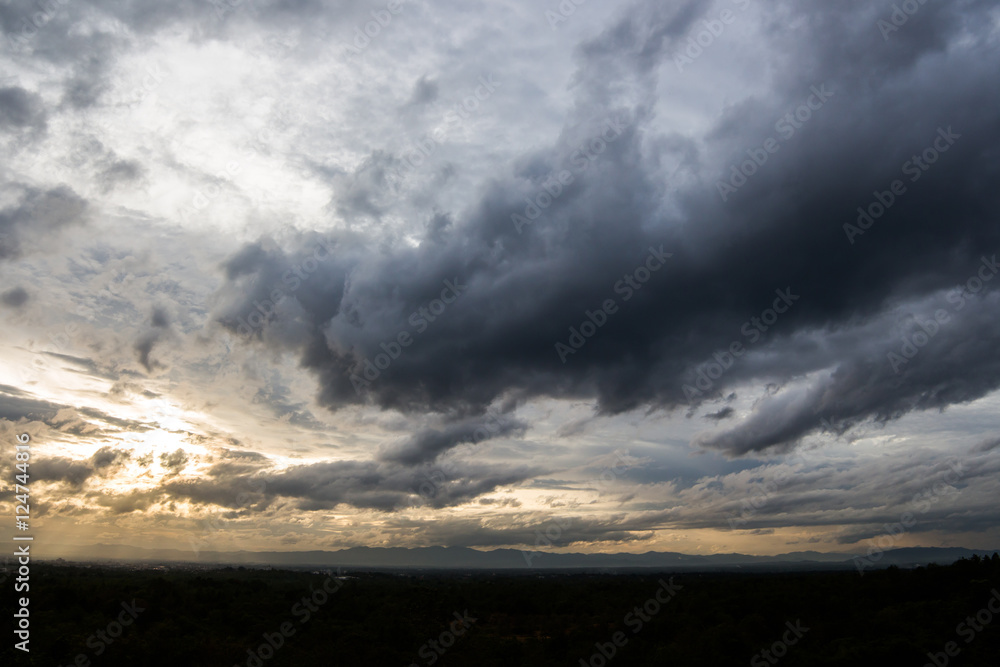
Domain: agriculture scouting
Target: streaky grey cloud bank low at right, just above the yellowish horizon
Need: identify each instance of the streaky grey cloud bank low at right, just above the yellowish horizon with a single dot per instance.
(857, 500)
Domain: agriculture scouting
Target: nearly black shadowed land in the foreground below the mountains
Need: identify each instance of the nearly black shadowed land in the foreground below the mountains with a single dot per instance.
(120, 616)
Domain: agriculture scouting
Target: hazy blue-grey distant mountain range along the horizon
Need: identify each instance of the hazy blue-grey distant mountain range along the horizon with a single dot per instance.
(462, 558)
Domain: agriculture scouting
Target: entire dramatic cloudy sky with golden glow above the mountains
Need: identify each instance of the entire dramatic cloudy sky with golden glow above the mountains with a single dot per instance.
(267, 282)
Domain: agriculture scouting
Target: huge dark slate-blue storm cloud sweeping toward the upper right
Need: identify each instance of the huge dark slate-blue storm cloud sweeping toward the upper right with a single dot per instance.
(888, 100)
